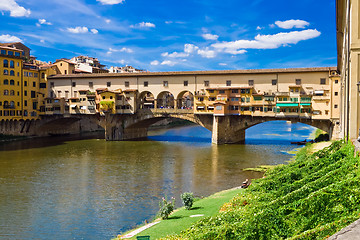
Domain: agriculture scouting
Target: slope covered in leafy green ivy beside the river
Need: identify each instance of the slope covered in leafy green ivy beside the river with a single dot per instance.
(311, 198)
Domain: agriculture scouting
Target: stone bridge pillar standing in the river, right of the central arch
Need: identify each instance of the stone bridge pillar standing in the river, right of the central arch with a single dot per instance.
(224, 133)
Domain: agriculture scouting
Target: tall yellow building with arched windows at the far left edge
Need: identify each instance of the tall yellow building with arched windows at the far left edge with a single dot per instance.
(11, 102)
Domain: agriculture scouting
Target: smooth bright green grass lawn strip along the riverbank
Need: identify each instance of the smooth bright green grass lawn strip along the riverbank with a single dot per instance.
(181, 220)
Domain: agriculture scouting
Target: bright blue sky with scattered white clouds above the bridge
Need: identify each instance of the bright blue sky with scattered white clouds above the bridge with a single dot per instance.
(176, 35)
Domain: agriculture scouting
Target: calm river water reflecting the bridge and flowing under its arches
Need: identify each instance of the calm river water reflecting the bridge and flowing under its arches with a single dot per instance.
(76, 188)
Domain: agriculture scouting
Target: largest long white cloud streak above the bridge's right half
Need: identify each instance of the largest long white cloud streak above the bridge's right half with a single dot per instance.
(266, 41)
